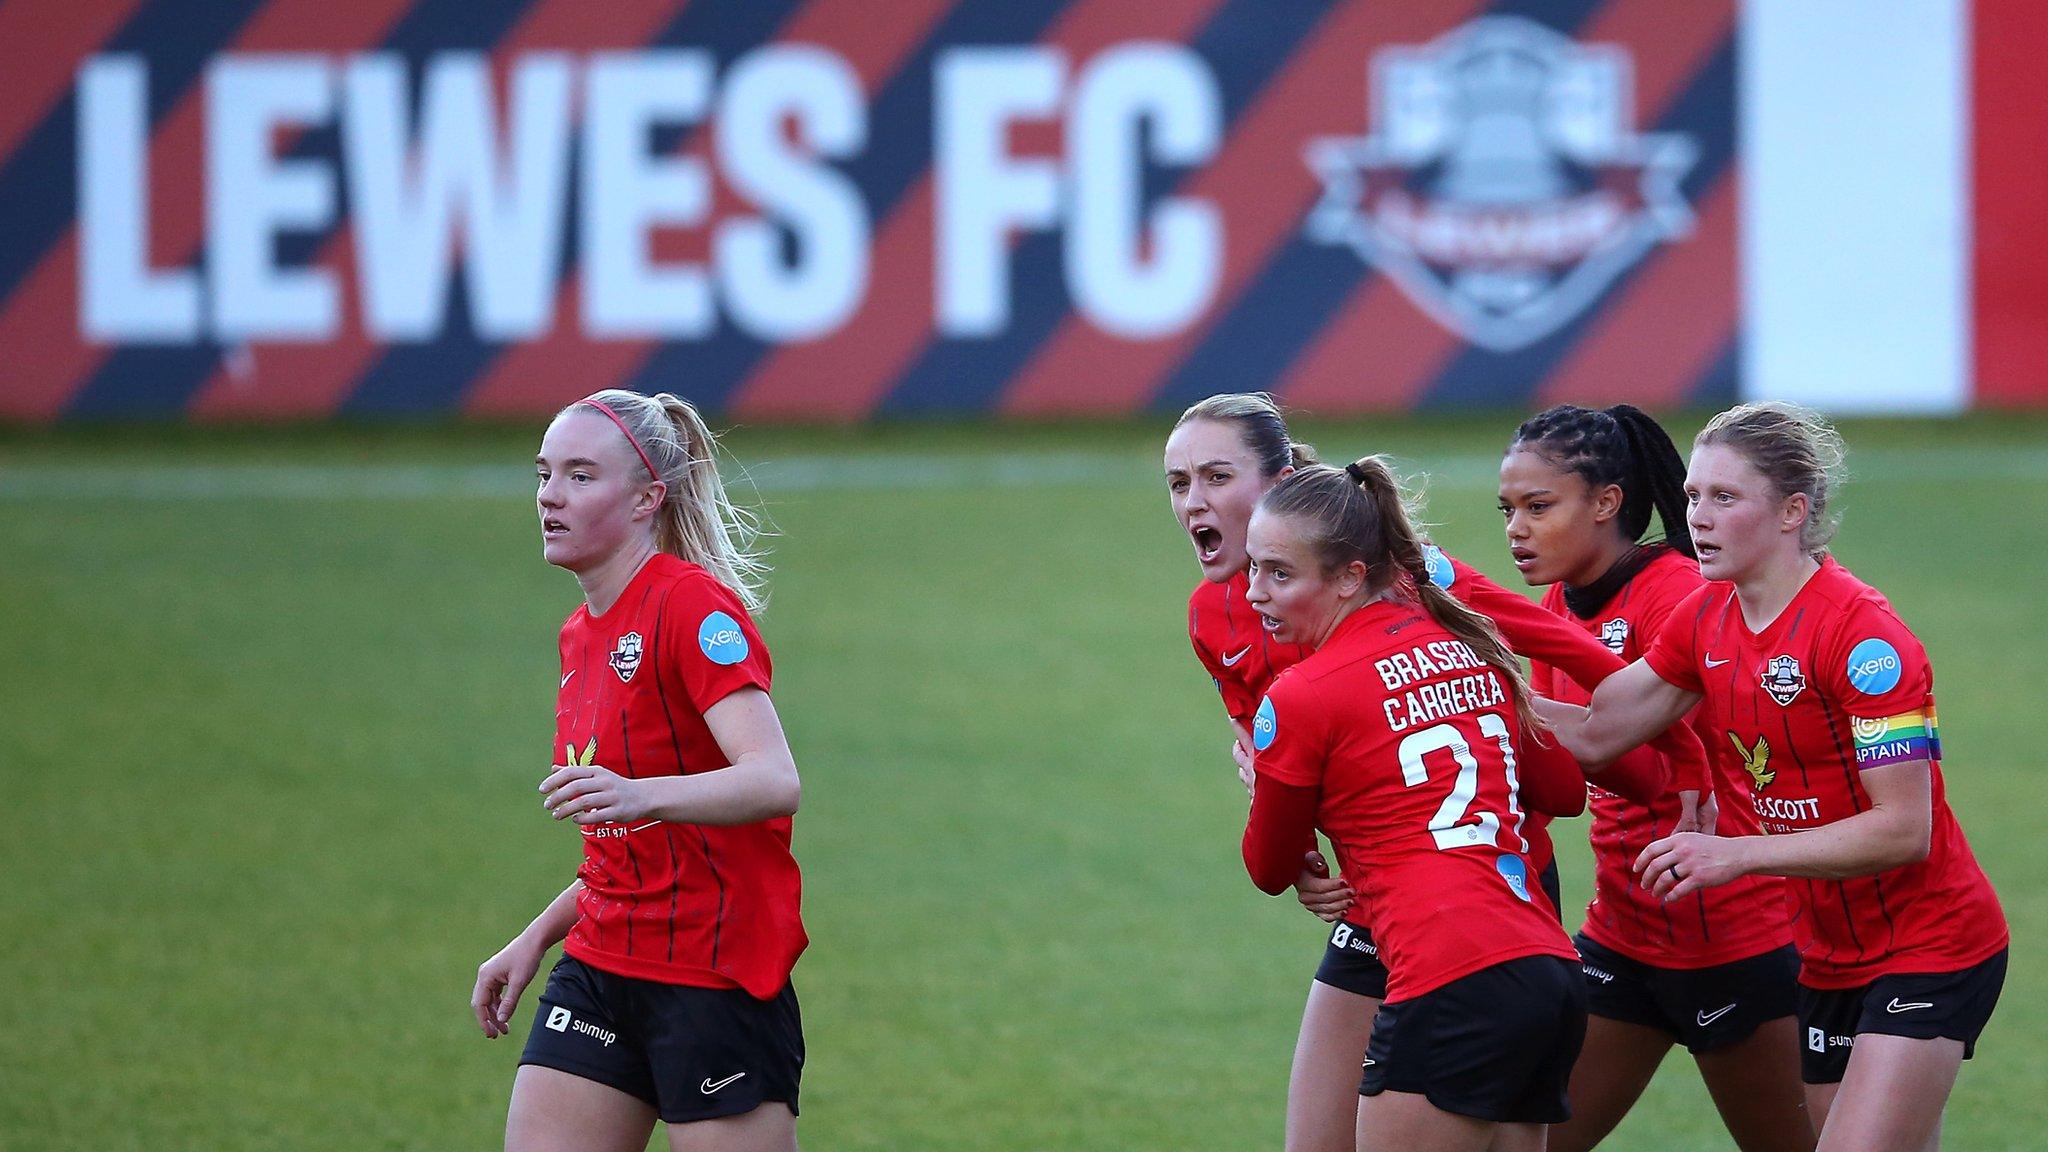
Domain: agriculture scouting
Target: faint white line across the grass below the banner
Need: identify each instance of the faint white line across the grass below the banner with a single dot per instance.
(159, 481)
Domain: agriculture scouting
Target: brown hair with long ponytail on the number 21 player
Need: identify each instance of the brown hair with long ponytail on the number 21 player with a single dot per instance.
(1361, 513)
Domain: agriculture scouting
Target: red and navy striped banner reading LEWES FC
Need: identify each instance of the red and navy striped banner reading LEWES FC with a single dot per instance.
(796, 210)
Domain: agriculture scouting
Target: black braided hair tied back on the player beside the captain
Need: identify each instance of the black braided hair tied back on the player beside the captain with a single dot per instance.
(1619, 446)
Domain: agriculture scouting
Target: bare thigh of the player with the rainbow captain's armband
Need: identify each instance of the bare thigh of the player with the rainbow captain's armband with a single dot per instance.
(1893, 1094)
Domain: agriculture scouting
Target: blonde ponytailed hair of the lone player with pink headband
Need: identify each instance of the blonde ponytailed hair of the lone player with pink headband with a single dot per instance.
(697, 520)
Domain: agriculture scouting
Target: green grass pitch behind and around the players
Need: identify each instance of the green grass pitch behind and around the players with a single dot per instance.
(275, 706)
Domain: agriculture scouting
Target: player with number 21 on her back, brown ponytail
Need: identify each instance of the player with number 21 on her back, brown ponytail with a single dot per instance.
(1400, 739)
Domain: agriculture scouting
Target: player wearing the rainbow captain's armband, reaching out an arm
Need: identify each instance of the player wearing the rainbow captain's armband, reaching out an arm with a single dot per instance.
(1830, 702)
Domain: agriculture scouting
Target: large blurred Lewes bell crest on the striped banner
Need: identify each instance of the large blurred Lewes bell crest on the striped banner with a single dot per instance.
(1504, 186)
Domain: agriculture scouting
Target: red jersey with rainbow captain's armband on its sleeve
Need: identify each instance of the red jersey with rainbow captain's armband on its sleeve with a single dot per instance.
(1830, 688)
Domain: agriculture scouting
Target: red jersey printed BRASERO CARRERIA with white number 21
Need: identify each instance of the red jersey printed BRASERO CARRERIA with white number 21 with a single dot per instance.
(1410, 741)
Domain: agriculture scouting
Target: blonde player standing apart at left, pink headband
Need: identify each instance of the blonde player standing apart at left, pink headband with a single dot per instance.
(673, 997)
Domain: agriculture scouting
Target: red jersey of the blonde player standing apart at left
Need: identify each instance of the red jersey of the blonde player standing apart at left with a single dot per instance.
(714, 907)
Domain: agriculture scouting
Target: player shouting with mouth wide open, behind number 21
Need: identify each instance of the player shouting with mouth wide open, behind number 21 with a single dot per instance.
(1222, 458)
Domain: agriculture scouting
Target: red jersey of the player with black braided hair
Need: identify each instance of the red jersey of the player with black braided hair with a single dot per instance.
(1717, 925)
